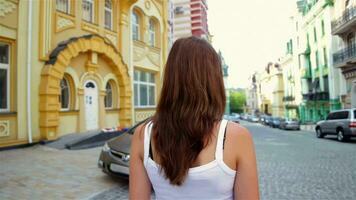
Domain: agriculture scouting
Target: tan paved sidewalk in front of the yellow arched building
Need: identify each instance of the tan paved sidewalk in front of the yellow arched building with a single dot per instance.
(40, 172)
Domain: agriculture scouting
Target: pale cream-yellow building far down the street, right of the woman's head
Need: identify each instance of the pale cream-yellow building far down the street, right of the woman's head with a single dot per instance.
(270, 90)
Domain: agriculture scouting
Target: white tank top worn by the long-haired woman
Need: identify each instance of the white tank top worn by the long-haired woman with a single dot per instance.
(214, 180)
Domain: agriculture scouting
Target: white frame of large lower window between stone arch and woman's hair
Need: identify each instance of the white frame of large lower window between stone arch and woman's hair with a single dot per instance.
(148, 84)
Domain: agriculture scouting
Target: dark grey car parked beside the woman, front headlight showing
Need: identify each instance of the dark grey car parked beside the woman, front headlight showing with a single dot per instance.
(114, 158)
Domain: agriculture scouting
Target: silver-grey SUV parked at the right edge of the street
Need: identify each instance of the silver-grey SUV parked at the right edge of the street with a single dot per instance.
(341, 123)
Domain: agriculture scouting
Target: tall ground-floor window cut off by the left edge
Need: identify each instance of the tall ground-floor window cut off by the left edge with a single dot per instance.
(4, 76)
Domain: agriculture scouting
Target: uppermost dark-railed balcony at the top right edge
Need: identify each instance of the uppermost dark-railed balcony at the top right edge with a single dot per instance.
(345, 22)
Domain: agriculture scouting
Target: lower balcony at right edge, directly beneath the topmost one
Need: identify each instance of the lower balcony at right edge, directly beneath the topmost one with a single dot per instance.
(345, 57)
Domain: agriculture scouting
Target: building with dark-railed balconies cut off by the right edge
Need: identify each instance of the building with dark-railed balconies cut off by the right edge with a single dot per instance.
(344, 55)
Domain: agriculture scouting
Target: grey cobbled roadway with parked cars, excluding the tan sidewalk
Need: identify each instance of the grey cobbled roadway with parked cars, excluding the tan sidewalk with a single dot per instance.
(294, 165)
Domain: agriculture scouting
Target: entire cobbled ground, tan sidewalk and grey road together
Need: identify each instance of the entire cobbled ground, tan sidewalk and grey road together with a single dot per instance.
(292, 165)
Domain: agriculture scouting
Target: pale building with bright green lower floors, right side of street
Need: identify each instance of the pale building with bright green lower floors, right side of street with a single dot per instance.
(320, 80)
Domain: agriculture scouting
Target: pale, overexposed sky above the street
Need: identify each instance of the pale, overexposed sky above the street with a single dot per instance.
(249, 34)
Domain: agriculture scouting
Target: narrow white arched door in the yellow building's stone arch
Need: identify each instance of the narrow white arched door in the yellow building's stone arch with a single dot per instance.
(91, 105)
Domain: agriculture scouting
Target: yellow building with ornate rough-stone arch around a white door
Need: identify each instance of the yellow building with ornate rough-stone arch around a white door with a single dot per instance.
(69, 66)
